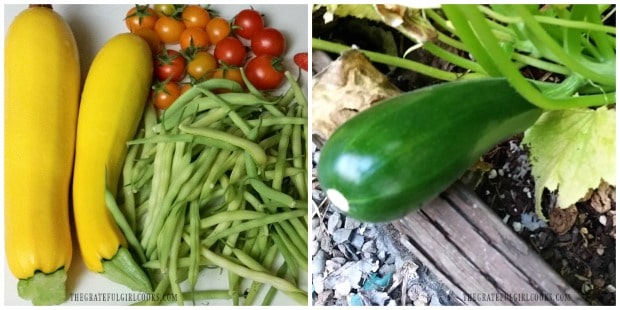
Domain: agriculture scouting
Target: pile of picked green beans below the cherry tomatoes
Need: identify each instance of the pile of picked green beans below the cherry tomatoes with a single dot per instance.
(220, 180)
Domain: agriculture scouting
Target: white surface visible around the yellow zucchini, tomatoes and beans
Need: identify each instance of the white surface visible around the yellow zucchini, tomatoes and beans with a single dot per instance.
(92, 26)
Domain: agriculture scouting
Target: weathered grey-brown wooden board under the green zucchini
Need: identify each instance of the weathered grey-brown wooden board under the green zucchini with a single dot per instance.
(478, 257)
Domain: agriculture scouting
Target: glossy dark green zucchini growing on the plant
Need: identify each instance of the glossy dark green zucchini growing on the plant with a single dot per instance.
(397, 155)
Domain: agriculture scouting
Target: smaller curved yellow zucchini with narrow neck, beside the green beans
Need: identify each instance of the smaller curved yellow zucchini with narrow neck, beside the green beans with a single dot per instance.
(115, 92)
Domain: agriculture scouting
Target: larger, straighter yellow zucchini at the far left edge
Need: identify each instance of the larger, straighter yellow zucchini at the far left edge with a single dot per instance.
(41, 94)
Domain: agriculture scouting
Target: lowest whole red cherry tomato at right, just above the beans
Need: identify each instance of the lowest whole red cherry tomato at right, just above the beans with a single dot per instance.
(265, 72)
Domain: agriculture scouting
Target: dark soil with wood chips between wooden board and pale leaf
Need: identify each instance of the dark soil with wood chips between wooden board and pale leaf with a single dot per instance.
(582, 249)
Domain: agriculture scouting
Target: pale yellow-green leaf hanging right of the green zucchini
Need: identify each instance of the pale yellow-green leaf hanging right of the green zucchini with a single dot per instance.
(572, 151)
